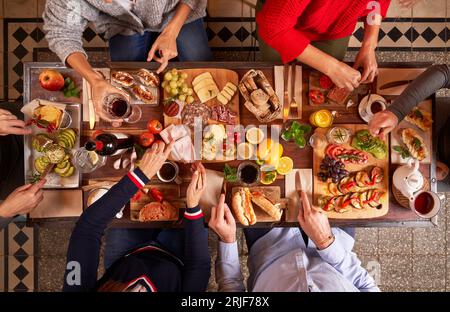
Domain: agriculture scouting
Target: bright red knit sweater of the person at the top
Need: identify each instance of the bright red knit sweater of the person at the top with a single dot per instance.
(289, 26)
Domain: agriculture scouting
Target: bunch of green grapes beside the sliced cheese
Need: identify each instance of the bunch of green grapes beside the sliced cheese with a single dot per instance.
(175, 84)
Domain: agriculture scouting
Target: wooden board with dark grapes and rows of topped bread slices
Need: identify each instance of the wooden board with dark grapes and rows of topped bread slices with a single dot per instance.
(366, 179)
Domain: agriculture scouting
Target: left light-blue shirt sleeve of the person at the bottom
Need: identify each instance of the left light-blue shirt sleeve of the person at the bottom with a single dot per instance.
(228, 268)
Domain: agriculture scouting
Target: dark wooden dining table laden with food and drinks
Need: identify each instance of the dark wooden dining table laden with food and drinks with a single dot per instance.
(397, 216)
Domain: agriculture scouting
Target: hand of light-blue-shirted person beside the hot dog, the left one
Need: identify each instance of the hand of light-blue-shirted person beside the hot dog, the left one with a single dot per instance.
(222, 221)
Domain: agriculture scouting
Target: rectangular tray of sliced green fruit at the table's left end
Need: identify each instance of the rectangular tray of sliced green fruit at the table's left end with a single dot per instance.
(68, 139)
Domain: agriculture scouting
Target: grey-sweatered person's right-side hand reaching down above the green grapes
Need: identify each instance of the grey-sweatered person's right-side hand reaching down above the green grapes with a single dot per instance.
(166, 46)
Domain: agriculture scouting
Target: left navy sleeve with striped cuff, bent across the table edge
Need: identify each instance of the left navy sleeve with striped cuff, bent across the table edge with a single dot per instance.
(85, 242)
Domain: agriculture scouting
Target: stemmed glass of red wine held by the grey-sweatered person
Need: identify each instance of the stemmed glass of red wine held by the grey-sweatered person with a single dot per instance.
(117, 106)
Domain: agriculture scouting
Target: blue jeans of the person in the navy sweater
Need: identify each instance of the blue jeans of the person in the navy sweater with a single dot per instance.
(120, 241)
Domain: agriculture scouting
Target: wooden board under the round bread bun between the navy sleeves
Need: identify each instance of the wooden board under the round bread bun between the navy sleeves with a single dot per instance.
(171, 193)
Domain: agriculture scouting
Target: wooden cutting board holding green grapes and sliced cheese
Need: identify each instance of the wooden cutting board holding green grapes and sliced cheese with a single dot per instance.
(221, 77)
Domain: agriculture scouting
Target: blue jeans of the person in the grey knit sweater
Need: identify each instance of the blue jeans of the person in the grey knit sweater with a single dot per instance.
(192, 45)
